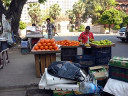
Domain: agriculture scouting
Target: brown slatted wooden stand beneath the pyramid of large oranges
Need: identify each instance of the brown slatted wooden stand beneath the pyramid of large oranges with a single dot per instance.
(43, 59)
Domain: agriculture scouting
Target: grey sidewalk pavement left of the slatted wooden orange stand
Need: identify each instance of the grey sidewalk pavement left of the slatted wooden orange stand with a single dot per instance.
(20, 72)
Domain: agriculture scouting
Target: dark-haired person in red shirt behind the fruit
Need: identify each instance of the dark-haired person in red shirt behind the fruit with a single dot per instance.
(84, 36)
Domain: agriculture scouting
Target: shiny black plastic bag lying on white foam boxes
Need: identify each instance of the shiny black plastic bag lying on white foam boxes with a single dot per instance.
(65, 70)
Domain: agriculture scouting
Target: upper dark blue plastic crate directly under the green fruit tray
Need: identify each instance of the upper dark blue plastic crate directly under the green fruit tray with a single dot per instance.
(100, 52)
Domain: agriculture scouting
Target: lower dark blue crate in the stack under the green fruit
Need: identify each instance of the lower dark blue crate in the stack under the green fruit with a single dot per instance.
(104, 60)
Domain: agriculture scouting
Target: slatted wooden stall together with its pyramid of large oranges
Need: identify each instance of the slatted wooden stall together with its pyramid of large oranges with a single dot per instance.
(44, 54)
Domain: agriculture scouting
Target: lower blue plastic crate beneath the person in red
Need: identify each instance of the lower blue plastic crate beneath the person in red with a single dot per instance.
(86, 60)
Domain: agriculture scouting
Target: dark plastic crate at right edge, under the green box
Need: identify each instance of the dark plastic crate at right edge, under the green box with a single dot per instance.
(118, 73)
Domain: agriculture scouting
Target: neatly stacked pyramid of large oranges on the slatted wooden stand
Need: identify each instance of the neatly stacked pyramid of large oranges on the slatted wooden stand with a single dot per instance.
(46, 44)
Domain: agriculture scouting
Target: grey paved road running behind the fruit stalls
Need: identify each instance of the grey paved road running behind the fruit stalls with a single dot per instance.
(121, 48)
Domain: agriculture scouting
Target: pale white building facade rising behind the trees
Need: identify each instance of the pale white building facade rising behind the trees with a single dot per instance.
(64, 5)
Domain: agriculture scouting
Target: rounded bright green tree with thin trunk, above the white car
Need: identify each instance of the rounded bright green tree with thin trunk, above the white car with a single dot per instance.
(111, 16)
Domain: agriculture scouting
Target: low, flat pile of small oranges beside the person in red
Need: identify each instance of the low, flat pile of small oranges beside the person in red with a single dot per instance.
(68, 43)
